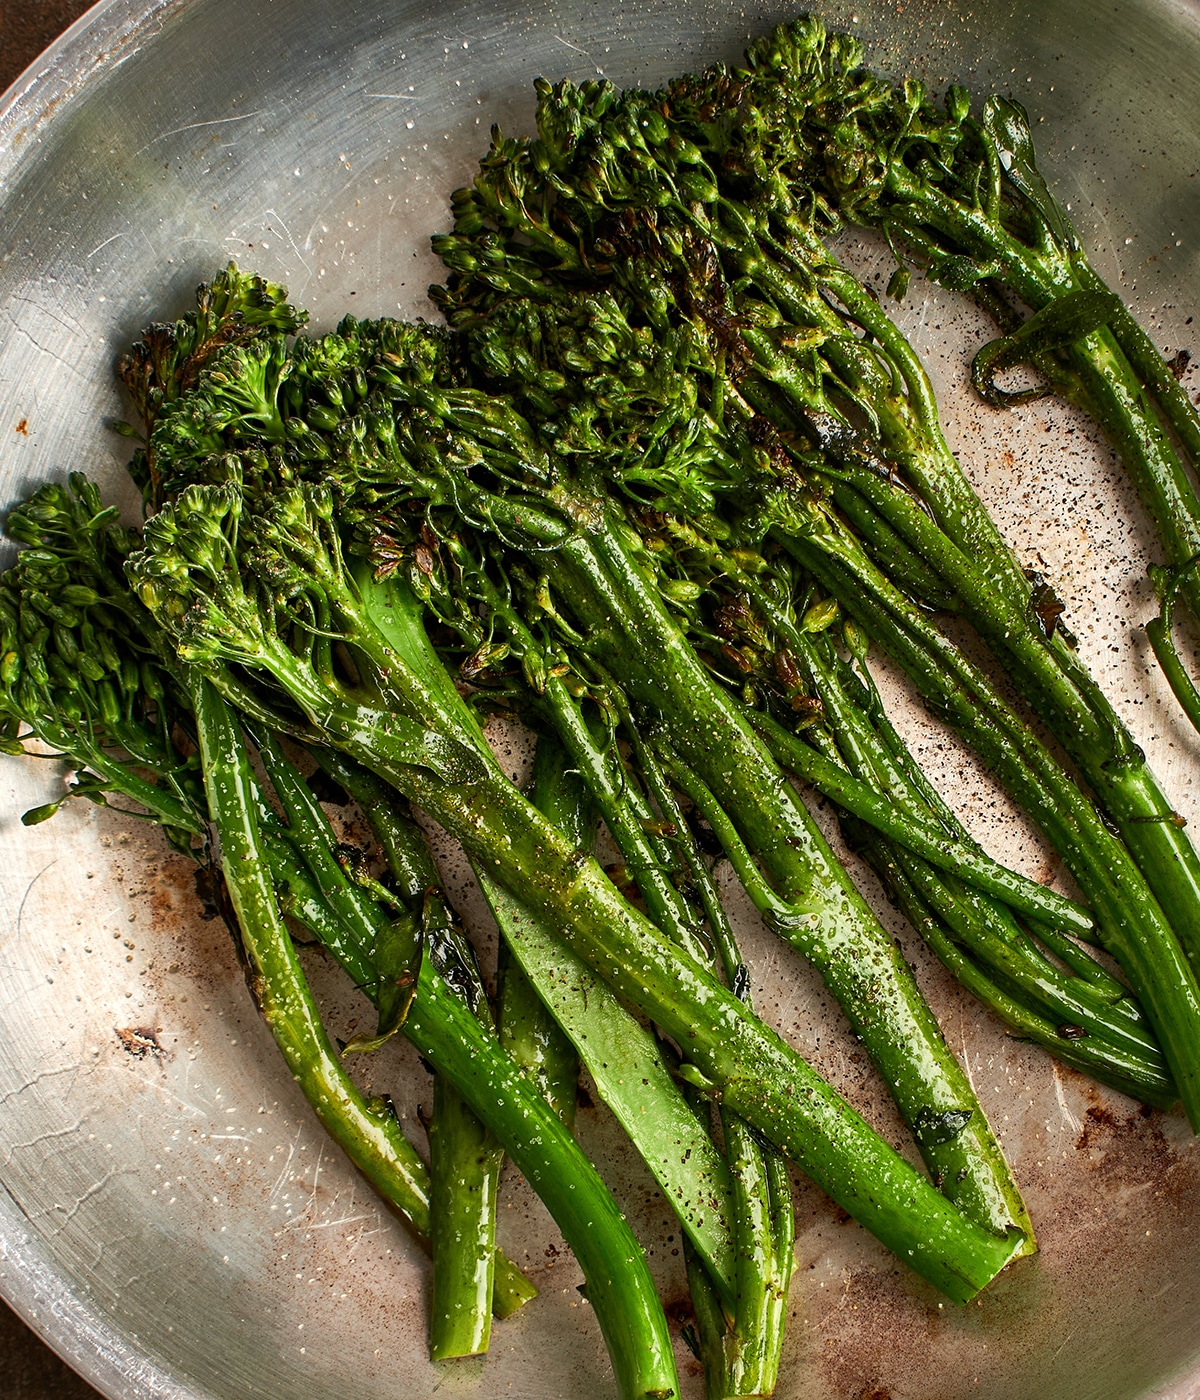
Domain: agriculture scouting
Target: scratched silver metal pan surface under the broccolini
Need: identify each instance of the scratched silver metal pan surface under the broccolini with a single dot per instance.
(172, 1221)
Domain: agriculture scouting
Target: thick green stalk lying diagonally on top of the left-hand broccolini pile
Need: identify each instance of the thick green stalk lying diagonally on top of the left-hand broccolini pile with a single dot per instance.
(744, 1062)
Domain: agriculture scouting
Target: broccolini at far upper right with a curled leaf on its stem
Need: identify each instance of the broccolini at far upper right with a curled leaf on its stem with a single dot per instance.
(961, 194)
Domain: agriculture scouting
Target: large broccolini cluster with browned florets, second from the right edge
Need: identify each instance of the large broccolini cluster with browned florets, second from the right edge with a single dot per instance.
(646, 274)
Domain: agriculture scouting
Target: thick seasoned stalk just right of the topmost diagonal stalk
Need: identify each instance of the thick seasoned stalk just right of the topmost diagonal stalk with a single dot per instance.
(831, 925)
